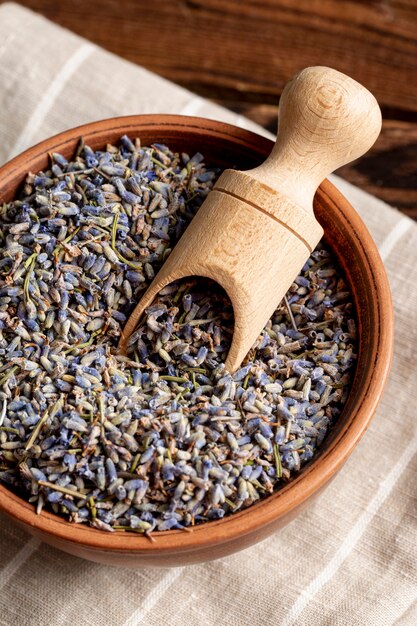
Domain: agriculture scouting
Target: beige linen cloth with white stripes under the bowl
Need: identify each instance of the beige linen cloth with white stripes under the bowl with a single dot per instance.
(350, 559)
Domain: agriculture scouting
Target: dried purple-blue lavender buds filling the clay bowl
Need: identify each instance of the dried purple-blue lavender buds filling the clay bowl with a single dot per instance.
(164, 438)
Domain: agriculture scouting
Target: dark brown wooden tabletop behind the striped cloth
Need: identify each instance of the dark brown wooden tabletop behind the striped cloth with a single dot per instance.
(241, 53)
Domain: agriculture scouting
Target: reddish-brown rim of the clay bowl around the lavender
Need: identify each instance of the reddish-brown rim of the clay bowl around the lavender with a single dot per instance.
(315, 475)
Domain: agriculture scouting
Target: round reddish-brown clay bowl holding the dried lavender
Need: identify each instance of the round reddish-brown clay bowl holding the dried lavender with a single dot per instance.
(224, 146)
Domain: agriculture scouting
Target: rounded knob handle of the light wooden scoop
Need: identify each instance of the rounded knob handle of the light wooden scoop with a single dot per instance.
(326, 119)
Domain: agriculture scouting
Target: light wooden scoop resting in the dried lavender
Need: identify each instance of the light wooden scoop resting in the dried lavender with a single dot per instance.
(256, 229)
